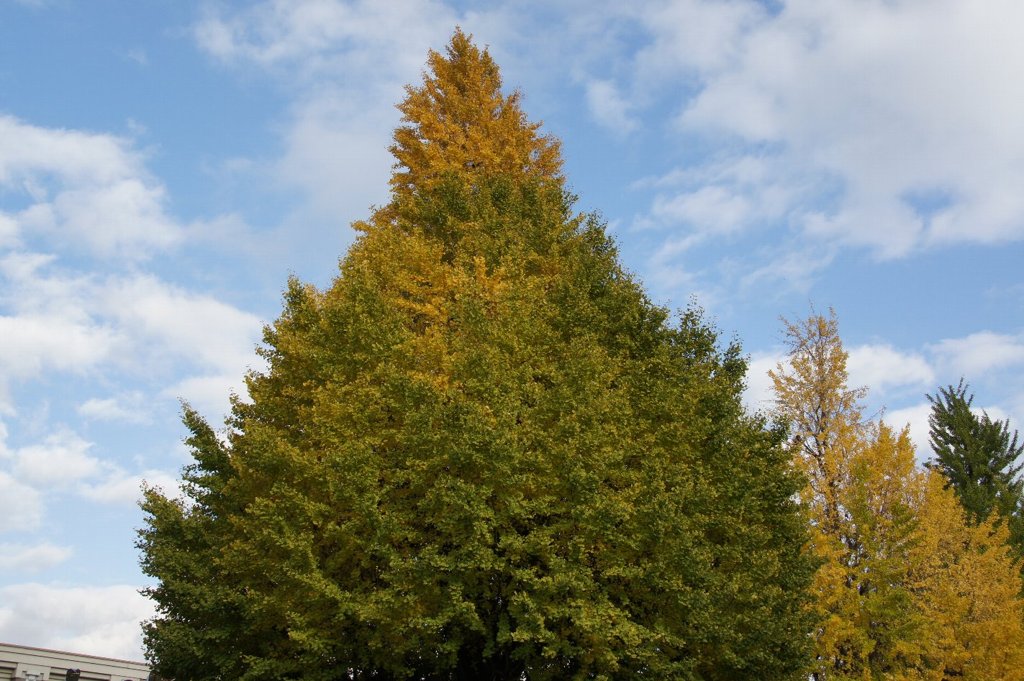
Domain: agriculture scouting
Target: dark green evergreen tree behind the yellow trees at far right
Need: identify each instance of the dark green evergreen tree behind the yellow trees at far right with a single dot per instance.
(980, 459)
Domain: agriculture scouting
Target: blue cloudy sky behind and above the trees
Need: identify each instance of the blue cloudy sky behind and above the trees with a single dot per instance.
(165, 166)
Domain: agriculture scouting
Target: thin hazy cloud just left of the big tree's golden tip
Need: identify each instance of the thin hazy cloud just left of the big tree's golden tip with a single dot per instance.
(345, 65)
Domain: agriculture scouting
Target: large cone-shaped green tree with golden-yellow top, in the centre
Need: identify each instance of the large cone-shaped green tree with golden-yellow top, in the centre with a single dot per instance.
(482, 453)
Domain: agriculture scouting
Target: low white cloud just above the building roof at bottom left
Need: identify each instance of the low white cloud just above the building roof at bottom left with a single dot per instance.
(100, 621)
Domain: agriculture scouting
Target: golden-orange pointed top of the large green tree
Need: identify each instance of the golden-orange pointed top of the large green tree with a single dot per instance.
(458, 121)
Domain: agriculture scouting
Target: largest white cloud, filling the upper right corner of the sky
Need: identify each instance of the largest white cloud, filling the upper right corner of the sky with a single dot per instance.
(875, 133)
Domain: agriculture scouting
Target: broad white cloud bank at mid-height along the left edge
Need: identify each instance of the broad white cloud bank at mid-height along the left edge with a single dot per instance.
(67, 323)
